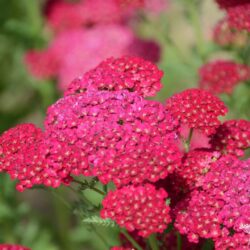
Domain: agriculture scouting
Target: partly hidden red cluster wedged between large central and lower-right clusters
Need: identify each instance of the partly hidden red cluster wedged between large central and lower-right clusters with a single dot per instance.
(195, 165)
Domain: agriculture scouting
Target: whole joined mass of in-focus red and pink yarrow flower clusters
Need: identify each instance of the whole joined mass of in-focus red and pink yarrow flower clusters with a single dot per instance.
(105, 127)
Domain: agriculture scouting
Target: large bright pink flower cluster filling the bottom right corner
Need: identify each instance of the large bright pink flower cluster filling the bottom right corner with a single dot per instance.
(220, 207)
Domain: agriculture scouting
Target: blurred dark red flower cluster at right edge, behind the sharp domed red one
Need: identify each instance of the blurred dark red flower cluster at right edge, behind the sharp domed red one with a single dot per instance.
(222, 76)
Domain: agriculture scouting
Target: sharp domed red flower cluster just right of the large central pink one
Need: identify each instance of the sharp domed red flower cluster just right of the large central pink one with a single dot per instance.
(198, 109)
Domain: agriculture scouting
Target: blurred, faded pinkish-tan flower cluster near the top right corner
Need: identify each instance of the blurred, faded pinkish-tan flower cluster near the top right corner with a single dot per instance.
(224, 35)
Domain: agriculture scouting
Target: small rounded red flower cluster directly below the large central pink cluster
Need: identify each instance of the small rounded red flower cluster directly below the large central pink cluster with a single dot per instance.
(141, 208)
